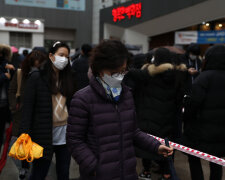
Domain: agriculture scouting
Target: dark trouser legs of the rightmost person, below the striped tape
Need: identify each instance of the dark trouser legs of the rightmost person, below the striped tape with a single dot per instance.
(197, 172)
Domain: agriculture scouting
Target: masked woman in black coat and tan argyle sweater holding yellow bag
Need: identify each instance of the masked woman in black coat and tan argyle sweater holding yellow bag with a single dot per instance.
(48, 93)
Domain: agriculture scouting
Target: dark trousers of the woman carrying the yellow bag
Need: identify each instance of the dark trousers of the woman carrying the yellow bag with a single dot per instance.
(41, 166)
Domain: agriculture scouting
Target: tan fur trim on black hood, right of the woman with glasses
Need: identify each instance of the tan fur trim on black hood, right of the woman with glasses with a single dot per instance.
(154, 70)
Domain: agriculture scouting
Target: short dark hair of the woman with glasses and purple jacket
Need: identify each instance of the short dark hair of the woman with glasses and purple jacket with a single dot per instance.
(110, 55)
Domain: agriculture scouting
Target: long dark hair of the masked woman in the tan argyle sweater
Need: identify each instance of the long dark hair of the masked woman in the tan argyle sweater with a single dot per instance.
(66, 83)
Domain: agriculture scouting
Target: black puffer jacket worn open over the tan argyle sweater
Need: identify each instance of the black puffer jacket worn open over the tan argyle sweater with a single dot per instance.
(37, 110)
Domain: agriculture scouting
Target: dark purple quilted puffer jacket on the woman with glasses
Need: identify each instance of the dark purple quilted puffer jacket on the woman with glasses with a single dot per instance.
(101, 134)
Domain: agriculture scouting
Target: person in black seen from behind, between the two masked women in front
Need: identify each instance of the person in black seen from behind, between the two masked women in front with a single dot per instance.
(80, 66)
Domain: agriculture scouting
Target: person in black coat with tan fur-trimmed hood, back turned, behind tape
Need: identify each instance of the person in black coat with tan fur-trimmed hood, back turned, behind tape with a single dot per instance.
(156, 90)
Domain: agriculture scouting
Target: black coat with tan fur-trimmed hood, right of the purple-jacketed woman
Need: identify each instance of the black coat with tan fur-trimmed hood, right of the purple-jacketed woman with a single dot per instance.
(158, 93)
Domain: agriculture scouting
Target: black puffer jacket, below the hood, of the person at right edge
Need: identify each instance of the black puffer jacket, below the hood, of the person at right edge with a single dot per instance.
(204, 129)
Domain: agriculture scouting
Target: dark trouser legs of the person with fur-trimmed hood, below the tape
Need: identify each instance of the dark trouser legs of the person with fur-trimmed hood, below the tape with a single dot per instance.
(164, 165)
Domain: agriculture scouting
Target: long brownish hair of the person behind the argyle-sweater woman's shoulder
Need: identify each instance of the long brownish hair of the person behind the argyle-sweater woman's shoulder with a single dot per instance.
(30, 60)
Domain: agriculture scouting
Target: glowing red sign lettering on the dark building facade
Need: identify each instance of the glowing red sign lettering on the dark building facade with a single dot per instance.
(132, 10)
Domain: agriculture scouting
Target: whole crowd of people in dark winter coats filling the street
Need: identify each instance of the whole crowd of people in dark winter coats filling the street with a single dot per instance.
(99, 106)
